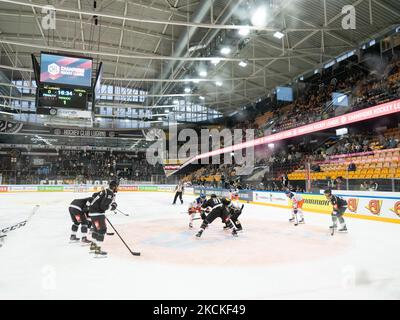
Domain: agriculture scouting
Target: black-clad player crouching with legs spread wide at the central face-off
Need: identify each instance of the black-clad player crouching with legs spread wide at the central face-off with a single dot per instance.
(216, 208)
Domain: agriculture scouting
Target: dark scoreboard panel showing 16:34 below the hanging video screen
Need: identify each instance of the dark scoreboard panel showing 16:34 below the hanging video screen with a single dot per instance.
(56, 97)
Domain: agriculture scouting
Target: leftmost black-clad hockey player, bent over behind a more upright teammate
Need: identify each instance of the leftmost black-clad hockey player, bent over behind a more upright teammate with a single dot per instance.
(78, 210)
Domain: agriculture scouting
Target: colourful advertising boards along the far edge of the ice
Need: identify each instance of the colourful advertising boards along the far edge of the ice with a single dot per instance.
(378, 206)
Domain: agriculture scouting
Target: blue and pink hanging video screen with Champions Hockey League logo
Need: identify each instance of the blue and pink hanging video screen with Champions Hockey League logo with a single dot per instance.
(63, 70)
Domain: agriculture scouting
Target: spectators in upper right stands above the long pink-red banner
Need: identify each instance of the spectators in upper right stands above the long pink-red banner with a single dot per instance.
(363, 88)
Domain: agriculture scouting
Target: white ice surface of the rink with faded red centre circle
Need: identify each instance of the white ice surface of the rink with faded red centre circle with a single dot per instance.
(272, 259)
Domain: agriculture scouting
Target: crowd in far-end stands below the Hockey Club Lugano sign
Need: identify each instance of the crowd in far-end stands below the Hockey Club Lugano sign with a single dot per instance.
(79, 165)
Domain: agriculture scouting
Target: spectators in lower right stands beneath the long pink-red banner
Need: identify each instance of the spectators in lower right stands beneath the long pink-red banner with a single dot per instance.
(288, 158)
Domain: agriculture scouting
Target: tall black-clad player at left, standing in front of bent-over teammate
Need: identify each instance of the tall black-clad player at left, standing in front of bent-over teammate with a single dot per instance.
(102, 201)
